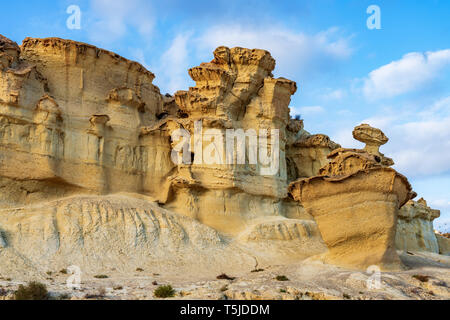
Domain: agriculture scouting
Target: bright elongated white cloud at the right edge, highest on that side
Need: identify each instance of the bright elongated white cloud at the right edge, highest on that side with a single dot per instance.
(412, 72)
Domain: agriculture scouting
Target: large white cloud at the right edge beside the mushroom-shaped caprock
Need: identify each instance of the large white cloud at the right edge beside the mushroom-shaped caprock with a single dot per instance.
(419, 146)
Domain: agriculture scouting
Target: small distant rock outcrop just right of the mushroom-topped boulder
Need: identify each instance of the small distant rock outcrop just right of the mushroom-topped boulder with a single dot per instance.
(415, 227)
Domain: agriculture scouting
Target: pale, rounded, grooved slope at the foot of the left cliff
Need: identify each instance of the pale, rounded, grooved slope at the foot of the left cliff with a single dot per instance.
(111, 233)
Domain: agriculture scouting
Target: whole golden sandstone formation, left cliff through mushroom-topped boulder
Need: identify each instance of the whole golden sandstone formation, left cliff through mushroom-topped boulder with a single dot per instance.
(87, 174)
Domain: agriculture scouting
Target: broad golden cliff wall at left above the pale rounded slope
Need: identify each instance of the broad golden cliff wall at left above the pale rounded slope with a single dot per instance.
(70, 121)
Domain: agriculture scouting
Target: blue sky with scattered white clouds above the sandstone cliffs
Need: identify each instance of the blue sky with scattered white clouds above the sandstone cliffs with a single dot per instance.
(396, 78)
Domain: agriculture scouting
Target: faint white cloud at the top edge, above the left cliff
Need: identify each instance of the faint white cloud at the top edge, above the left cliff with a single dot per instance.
(112, 19)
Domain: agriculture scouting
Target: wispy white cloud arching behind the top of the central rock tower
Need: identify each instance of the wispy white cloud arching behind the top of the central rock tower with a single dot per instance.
(293, 51)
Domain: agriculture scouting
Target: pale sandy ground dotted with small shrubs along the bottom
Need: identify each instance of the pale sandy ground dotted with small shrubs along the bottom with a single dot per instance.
(305, 280)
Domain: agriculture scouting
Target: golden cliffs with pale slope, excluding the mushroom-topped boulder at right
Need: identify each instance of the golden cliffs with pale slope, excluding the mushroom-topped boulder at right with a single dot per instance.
(80, 121)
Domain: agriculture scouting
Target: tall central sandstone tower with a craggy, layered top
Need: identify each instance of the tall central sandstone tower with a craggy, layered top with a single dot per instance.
(235, 90)
